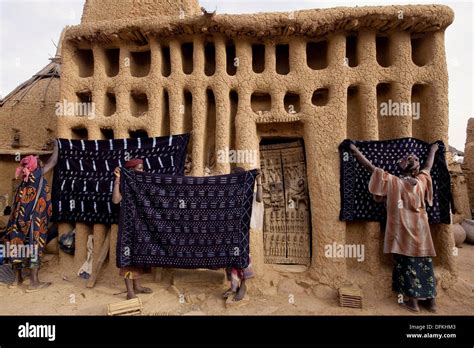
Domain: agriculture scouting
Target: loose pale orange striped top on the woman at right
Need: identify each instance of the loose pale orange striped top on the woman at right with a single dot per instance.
(407, 230)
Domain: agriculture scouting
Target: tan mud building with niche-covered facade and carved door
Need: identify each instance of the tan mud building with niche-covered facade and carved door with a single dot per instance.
(290, 86)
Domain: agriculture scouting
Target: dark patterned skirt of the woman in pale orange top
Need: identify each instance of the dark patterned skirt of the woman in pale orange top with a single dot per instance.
(414, 277)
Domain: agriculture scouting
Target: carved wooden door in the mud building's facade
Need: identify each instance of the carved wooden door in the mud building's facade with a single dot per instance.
(286, 229)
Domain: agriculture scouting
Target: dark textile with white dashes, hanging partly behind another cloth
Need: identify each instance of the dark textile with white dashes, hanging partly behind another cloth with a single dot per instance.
(83, 177)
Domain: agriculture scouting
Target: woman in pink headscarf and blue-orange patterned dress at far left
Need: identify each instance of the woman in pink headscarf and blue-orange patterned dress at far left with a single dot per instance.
(28, 223)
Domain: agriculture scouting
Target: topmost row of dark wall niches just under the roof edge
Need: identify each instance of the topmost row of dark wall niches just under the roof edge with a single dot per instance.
(139, 62)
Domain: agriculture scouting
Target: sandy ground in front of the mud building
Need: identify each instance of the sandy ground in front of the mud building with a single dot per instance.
(192, 296)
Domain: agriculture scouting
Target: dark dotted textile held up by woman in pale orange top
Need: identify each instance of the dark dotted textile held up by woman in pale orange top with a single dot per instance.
(356, 201)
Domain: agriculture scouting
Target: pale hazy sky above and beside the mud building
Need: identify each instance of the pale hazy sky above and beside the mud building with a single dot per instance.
(30, 29)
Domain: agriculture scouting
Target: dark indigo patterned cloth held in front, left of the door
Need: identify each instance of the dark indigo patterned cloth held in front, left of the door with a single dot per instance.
(185, 222)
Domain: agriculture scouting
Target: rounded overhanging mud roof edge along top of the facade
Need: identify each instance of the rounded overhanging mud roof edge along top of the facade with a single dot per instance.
(311, 23)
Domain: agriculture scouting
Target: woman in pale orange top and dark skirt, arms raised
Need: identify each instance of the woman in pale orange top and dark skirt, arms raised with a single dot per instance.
(407, 232)
